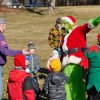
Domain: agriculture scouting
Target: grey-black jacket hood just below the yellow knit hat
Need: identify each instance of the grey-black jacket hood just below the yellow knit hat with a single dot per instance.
(58, 79)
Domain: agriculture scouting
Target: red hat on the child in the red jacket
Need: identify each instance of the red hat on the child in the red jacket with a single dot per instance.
(19, 61)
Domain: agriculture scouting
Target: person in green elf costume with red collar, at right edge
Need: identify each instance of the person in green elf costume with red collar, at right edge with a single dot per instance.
(93, 85)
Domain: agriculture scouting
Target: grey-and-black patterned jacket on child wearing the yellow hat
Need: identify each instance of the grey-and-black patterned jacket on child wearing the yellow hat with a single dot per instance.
(54, 85)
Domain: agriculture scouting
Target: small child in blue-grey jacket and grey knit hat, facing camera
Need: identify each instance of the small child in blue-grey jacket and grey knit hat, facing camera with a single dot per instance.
(34, 67)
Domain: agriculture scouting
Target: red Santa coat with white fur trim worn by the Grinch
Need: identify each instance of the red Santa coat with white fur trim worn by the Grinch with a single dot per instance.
(75, 39)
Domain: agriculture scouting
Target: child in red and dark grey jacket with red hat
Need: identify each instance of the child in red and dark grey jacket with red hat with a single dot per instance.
(20, 82)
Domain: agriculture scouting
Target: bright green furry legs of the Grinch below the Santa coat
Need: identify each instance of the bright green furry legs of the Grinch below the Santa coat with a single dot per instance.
(75, 88)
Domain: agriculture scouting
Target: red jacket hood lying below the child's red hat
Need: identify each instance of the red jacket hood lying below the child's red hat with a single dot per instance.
(17, 75)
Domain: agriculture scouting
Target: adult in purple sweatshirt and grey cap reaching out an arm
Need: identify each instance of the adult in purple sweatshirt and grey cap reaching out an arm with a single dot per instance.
(5, 51)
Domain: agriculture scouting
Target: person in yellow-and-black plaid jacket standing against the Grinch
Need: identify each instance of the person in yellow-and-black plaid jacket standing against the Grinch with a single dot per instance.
(55, 36)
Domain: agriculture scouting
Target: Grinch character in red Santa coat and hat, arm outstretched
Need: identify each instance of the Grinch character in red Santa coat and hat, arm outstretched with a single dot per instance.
(74, 46)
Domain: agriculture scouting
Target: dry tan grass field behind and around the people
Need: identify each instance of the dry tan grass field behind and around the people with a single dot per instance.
(24, 26)
